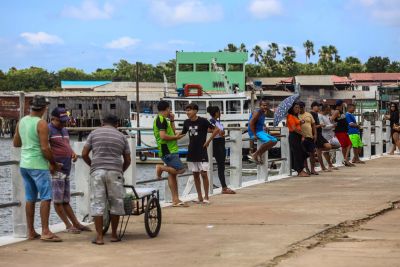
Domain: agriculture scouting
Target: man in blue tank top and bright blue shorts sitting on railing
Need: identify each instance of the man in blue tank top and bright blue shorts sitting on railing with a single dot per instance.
(257, 132)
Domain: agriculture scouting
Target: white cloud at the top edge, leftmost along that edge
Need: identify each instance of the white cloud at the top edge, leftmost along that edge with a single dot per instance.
(89, 10)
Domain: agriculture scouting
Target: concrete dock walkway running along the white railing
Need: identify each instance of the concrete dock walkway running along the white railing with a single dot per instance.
(344, 218)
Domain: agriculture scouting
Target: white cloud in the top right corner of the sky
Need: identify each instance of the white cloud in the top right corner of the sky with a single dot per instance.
(383, 11)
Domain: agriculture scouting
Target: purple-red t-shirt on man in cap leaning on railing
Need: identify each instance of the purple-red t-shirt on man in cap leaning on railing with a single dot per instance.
(60, 147)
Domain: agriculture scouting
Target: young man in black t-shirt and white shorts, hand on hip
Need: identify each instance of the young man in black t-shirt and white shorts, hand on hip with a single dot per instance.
(197, 157)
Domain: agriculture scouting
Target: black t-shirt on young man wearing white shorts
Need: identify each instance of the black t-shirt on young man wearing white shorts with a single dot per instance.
(198, 130)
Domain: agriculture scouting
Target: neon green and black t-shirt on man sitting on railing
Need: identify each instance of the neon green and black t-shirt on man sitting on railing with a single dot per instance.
(164, 147)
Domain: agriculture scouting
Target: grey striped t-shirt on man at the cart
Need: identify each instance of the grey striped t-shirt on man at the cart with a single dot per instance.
(107, 145)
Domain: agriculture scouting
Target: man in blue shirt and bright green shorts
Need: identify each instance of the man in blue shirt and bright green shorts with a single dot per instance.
(354, 133)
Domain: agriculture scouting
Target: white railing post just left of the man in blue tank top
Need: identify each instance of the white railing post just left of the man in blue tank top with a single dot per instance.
(235, 158)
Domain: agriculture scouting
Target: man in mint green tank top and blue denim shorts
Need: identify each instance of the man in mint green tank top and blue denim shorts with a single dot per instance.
(36, 163)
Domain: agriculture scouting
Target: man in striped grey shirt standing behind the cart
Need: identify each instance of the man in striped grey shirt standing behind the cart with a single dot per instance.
(110, 159)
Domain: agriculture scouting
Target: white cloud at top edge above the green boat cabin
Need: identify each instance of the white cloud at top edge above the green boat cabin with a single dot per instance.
(172, 12)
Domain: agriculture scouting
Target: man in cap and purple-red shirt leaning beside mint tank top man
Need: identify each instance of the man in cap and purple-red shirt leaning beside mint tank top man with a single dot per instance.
(63, 154)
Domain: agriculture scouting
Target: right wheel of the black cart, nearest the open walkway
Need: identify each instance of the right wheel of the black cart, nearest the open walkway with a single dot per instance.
(152, 217)
